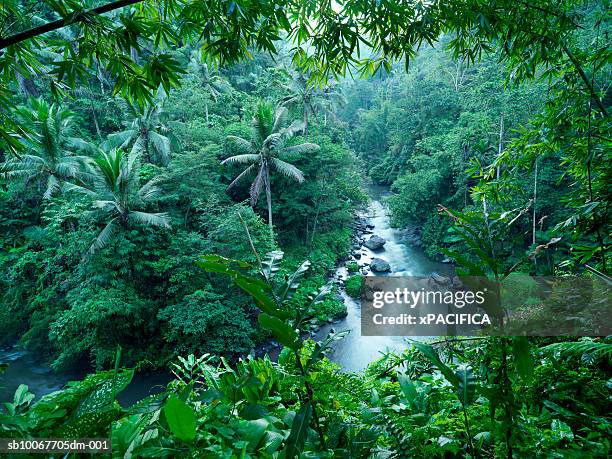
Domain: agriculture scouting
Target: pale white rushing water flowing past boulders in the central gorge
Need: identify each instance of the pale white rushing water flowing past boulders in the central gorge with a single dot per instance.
(354, 352)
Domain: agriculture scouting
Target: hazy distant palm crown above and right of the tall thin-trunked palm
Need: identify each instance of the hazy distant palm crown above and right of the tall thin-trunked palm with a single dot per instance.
(302, 93)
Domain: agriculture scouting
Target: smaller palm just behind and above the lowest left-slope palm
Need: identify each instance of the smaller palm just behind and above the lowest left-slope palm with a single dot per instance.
(147, 133)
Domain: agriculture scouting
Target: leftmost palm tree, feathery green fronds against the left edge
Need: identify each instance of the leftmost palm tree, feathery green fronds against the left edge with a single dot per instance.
(49, 159)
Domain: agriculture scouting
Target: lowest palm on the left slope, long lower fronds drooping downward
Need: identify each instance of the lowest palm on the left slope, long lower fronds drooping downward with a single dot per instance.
(118, 195)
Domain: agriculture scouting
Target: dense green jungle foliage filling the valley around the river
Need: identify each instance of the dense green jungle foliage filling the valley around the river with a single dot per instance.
(180, 178)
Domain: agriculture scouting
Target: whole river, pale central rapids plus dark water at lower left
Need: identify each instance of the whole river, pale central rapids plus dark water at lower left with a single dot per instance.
(353, 353)
